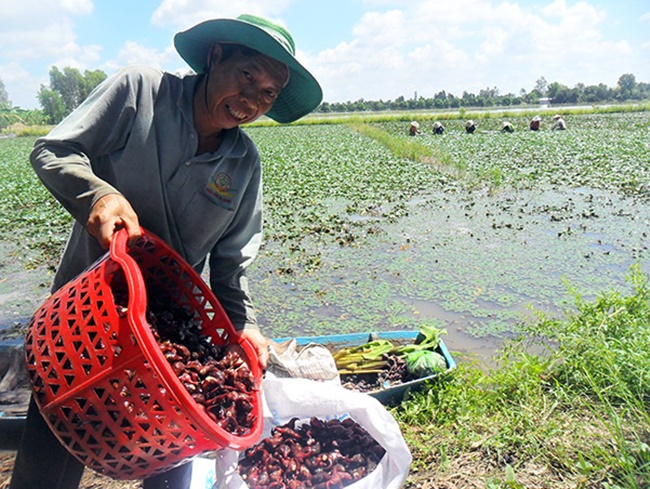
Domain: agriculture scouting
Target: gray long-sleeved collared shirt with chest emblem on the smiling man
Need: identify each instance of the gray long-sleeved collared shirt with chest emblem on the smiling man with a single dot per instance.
(135, 135)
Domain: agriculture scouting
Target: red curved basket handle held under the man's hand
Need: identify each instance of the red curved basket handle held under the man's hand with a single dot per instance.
(136, 310)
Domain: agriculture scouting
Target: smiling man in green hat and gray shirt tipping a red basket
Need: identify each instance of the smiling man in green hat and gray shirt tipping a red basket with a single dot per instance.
(164, 152)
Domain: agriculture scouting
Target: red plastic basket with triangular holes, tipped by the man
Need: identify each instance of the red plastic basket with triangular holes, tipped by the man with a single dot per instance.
(100, 379)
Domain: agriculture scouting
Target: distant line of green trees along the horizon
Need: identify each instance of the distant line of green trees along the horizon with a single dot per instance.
(69, 87)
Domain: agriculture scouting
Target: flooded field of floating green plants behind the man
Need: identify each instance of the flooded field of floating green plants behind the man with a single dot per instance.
(494, 230)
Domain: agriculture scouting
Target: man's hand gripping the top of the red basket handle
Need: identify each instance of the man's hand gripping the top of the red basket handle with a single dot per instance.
(110, 213)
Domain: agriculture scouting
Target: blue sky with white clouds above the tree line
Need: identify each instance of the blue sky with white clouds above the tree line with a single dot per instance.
(357, 49)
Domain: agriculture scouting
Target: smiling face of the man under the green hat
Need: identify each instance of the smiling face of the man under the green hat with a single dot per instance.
(241, 88)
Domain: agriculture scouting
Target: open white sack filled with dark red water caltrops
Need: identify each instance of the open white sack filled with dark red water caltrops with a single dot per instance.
(318, 435)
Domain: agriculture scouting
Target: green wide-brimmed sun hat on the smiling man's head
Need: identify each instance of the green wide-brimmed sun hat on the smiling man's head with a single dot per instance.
(298, 98)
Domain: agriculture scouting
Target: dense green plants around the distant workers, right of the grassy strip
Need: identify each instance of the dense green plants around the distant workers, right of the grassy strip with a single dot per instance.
(587, 155)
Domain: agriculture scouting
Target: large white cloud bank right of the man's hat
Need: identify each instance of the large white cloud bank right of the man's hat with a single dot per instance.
(471, 45)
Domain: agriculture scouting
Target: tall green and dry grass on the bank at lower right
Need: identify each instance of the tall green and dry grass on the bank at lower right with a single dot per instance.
(574, 415)
